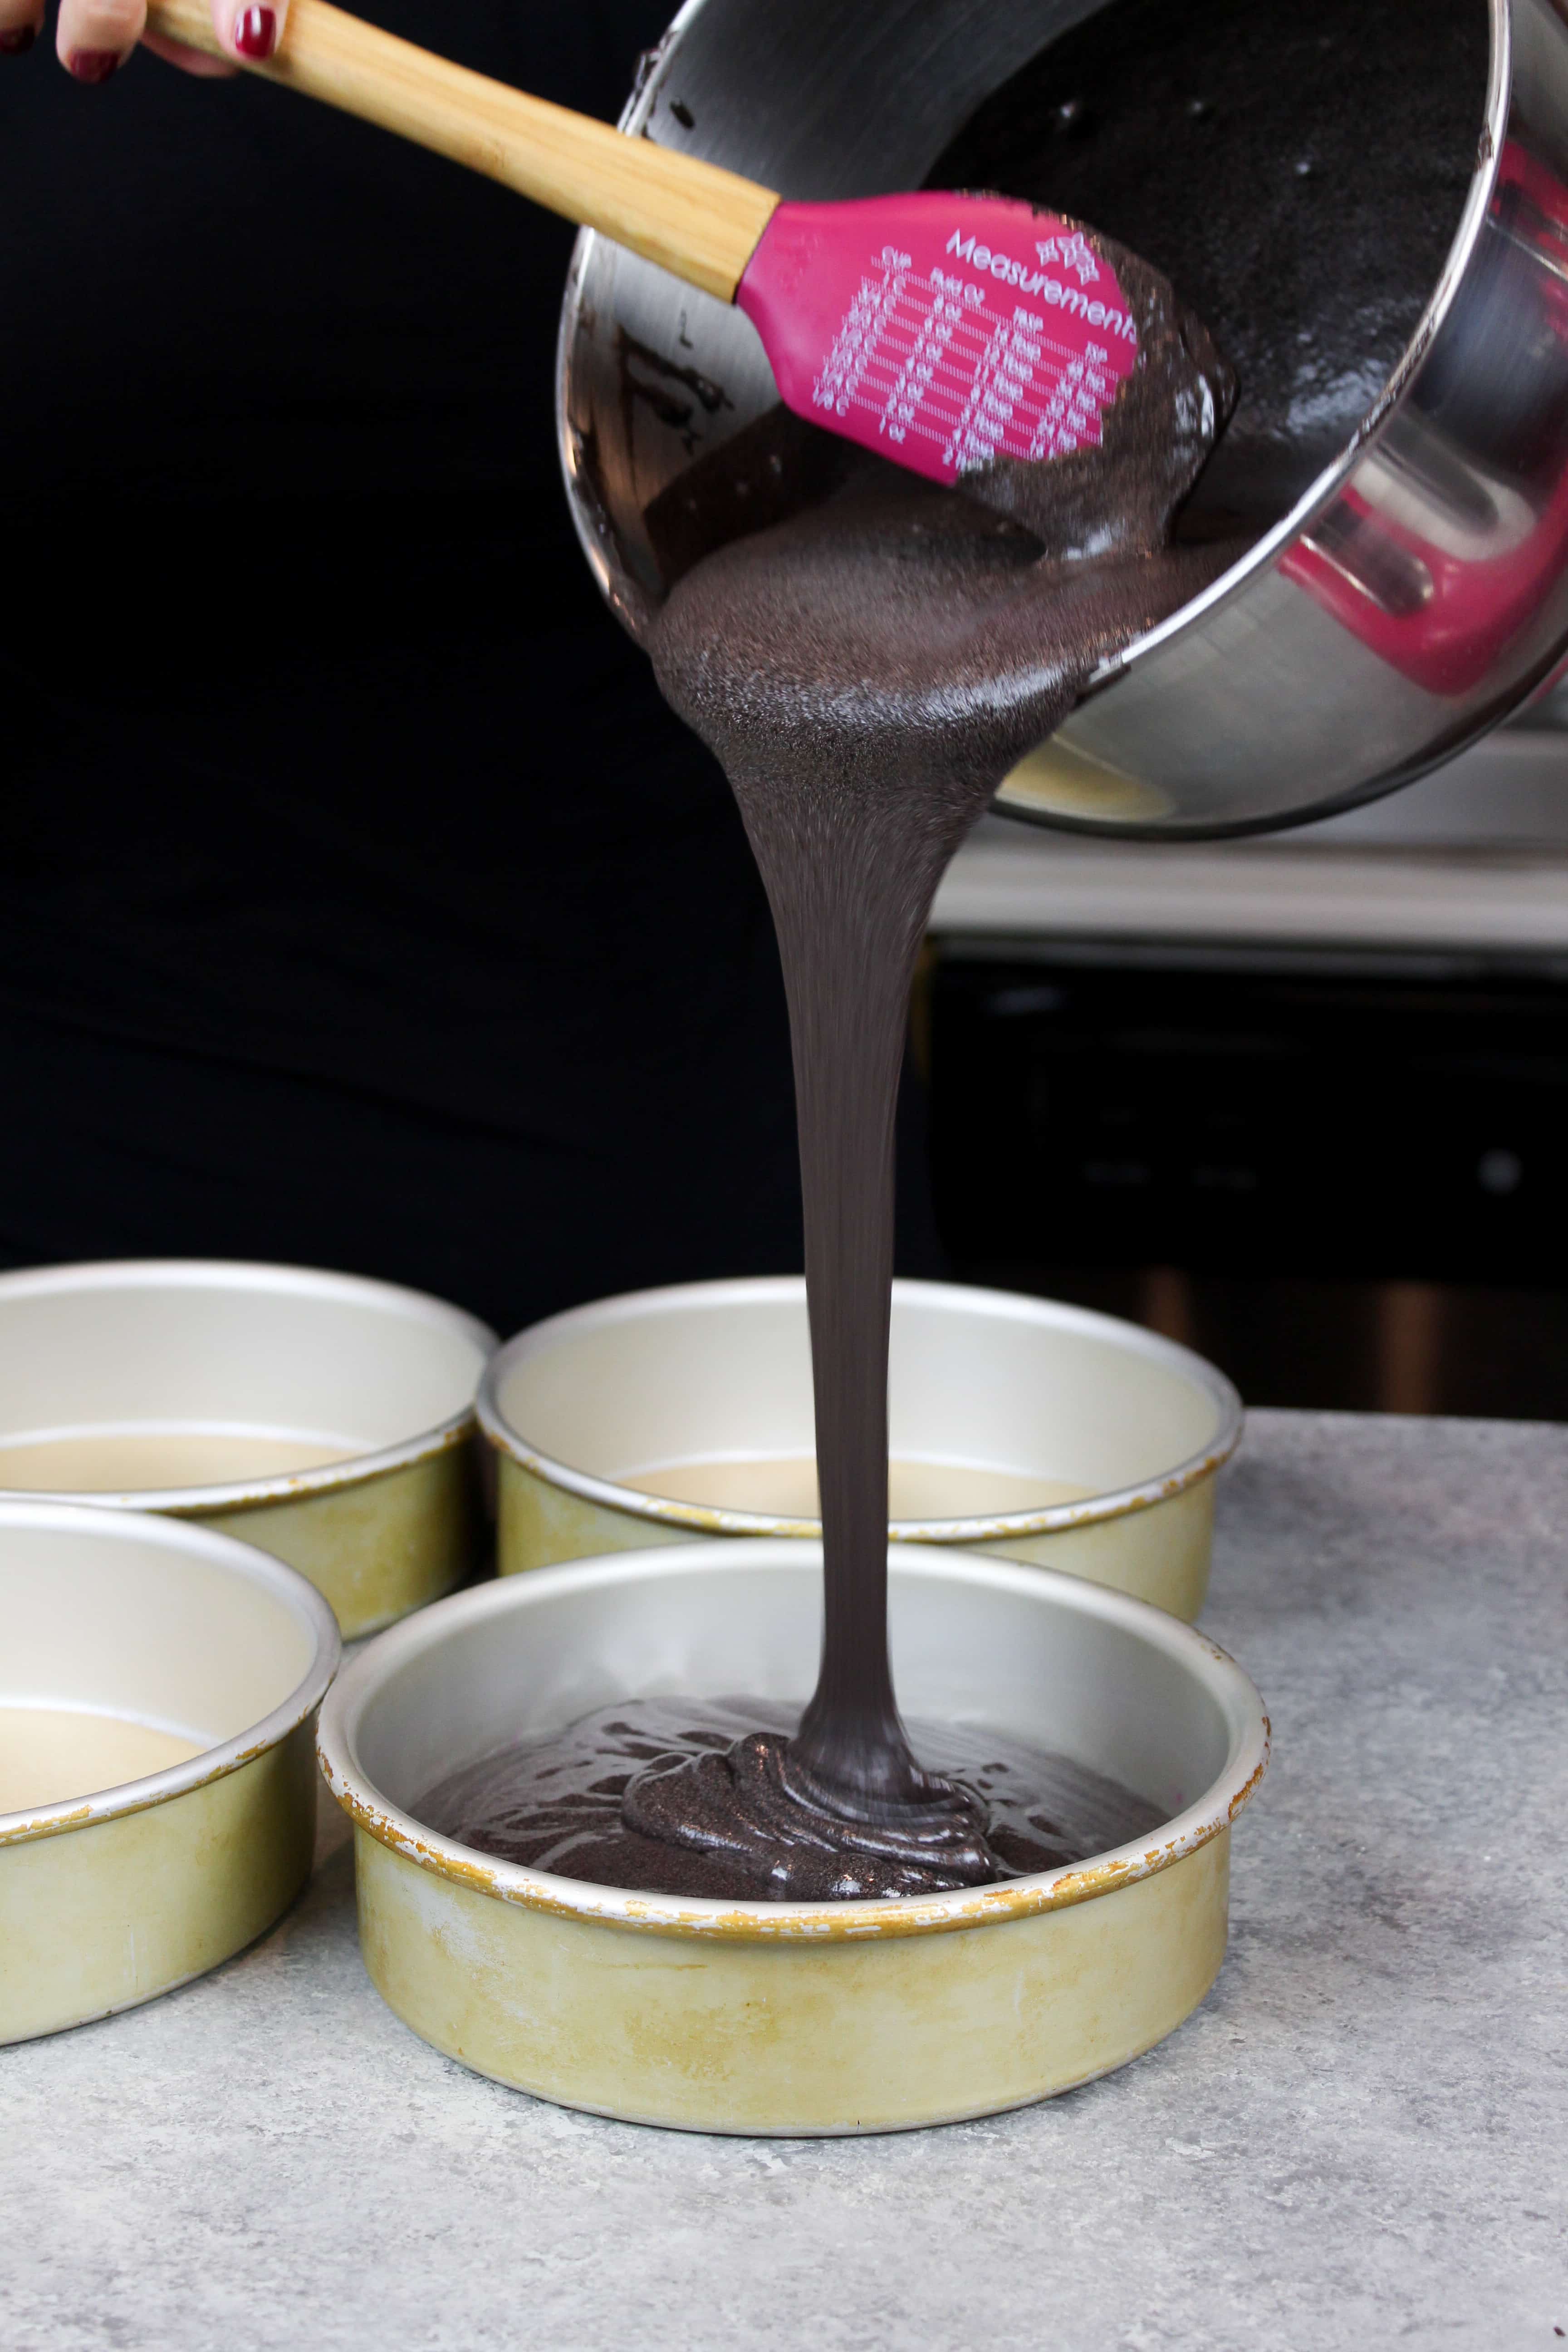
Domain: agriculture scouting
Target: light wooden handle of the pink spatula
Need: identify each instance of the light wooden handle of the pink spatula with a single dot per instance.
(688, 215)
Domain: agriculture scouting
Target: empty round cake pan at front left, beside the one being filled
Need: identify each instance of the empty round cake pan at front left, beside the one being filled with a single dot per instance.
(159, 1688)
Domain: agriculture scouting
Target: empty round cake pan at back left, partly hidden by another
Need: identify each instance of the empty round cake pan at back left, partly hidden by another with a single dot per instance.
(323, 1417)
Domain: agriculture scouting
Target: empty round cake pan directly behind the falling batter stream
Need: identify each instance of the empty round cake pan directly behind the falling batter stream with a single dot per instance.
(981, 1384)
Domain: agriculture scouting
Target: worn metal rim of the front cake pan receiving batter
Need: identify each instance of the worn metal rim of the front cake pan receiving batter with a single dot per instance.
(791, 1923)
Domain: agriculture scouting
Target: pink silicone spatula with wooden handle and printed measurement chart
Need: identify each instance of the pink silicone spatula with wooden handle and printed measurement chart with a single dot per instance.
(942, 330)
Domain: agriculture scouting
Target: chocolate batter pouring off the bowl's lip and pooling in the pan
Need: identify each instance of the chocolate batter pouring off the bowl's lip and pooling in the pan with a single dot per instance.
(869, 671)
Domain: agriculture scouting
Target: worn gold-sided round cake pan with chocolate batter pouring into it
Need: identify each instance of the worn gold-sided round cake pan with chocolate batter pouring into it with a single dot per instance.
(786, 2017)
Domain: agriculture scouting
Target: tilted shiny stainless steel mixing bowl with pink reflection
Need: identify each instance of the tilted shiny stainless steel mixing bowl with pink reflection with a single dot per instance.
(1409, 601)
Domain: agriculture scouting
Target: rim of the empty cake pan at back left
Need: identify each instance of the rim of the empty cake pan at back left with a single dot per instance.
(260, 1276)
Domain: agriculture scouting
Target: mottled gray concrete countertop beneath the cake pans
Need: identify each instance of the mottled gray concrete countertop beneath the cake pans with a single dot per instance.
(1358, 2141)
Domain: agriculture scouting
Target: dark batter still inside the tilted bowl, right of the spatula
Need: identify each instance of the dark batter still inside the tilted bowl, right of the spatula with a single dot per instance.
(1296, 168)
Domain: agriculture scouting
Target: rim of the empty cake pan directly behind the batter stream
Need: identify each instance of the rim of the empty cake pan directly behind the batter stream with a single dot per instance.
(949, 1297)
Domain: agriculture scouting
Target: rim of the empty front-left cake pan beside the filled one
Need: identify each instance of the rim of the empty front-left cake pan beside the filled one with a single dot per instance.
(257, 1568)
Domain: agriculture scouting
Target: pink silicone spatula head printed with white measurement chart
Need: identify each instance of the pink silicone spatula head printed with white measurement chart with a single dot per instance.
(949, 333)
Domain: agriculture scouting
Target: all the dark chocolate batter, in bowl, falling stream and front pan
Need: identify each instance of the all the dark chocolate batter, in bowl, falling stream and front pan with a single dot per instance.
(869, 657)
